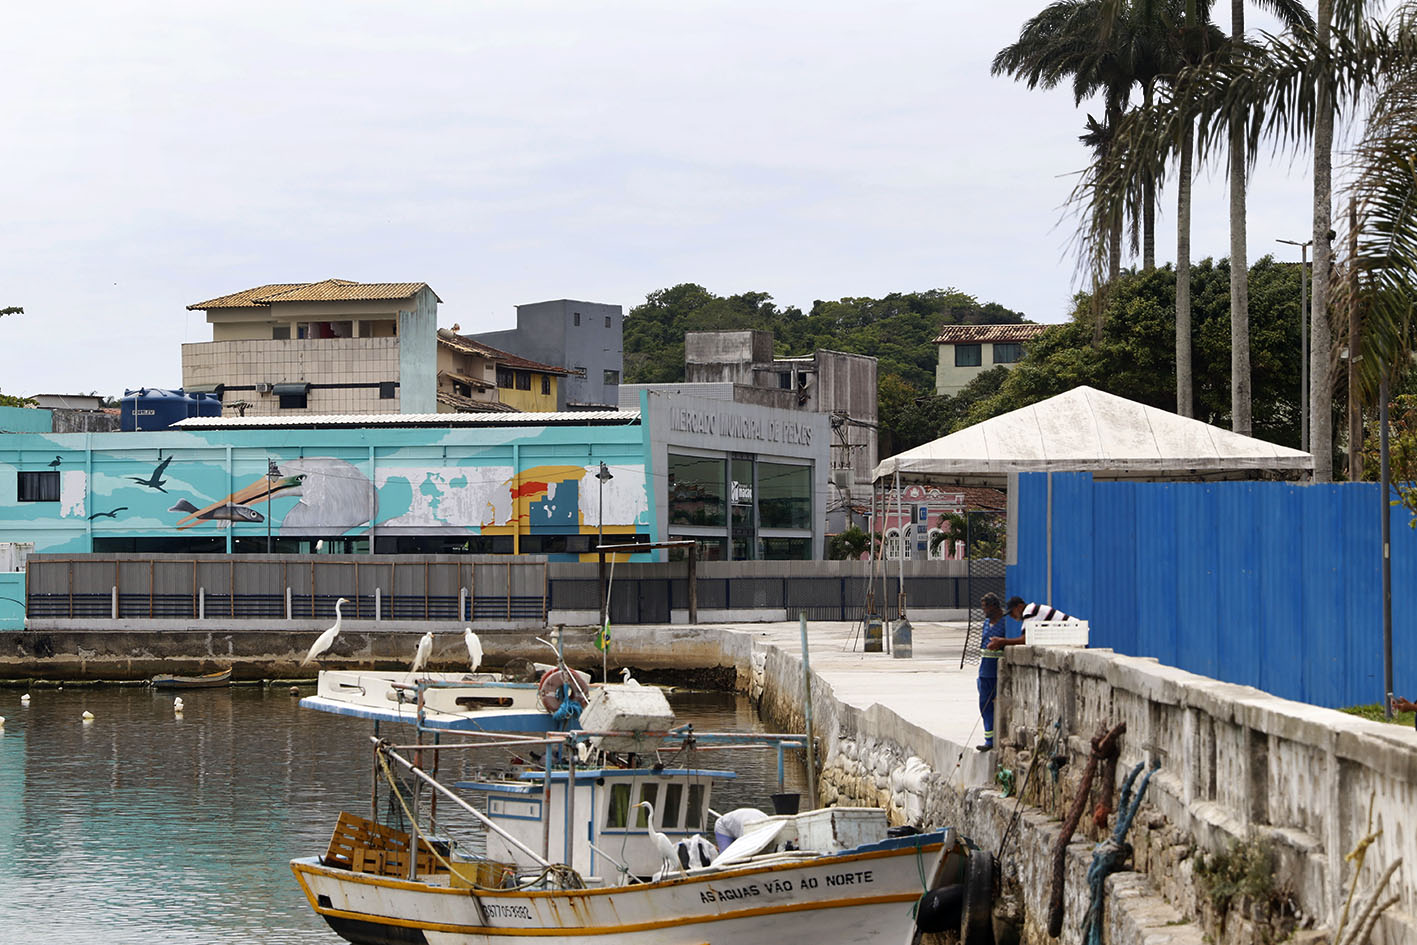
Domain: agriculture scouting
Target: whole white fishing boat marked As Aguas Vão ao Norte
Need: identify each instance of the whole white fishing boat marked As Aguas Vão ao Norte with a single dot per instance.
(617, 876)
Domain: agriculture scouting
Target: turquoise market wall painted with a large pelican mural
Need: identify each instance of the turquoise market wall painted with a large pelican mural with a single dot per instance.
(499, 481)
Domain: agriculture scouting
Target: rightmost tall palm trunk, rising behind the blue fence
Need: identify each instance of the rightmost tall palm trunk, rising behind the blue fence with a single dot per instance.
(1321, 379)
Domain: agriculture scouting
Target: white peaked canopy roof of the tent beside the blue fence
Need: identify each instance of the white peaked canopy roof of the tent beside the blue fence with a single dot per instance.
(1090, 430)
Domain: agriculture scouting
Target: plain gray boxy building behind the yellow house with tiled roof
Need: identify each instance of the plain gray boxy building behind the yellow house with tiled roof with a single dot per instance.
(583, 336)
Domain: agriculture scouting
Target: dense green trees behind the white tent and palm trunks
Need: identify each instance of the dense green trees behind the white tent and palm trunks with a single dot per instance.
(1137, 356)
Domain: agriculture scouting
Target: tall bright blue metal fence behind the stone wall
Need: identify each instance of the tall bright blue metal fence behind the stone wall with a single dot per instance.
(1268, 584)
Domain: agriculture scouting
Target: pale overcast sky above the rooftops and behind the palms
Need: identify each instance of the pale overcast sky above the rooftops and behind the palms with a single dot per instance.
(164, 154)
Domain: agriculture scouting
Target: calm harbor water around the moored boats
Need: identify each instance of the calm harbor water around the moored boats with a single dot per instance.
(141, 828)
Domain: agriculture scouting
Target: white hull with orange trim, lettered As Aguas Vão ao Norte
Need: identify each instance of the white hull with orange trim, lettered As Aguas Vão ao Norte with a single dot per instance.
(861, 896)
